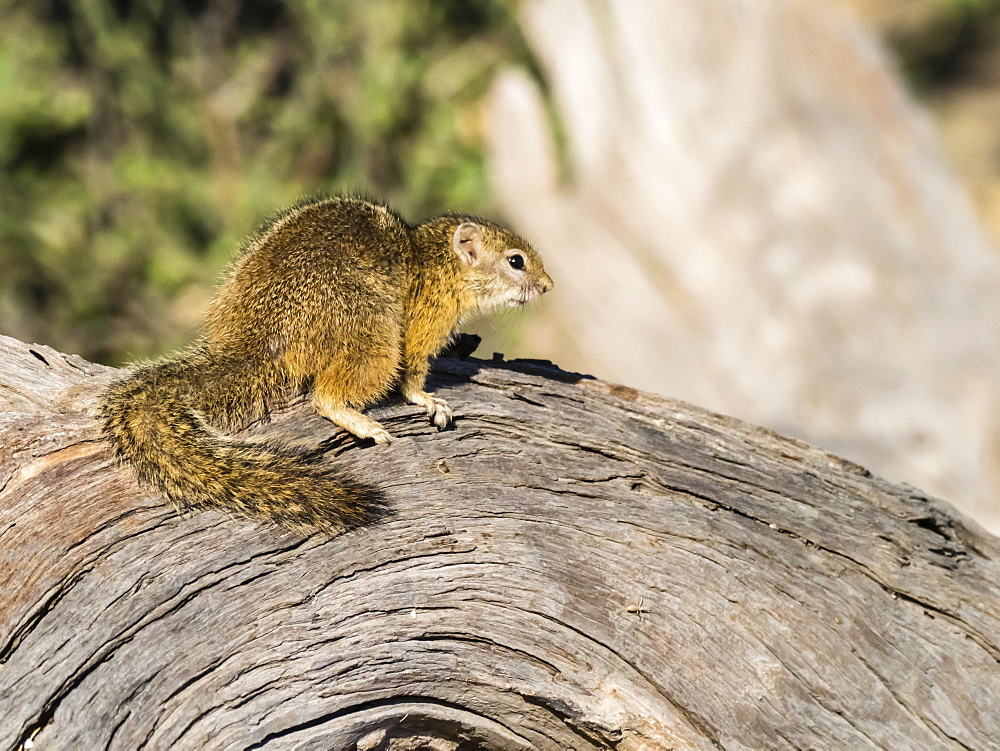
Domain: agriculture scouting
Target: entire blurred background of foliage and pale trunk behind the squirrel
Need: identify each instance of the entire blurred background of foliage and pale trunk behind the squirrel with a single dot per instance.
(783, 210)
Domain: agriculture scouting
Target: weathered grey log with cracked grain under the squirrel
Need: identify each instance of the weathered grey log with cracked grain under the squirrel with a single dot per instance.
(576, 565)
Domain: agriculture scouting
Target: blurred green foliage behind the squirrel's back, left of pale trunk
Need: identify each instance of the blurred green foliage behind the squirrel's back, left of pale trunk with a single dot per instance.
(142, 140)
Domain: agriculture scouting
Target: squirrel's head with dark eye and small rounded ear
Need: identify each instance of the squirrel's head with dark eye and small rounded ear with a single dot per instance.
(500, 269)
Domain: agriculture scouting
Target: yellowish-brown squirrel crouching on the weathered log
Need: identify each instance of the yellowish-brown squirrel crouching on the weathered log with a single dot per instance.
(339, 295)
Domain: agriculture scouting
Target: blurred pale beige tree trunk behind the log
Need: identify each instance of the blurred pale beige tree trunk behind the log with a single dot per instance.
(756, 218)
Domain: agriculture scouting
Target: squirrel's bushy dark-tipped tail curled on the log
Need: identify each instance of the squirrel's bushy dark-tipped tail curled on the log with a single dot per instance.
(151, 420)
